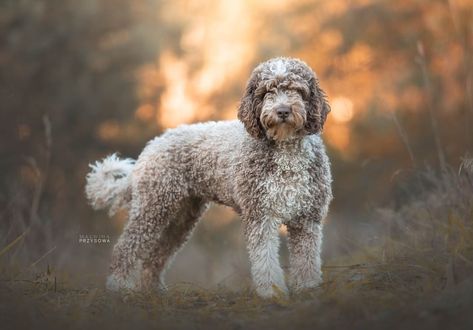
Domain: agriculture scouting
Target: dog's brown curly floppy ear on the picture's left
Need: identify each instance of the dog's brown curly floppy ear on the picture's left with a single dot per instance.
(250, 108)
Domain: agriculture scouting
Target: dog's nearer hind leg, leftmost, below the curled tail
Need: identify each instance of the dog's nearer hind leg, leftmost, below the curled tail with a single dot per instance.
(155, 203)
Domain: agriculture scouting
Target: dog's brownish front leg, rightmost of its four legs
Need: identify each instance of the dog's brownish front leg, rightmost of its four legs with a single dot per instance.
(305, 242)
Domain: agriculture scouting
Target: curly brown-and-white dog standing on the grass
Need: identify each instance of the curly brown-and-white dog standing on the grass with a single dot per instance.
(270, 167)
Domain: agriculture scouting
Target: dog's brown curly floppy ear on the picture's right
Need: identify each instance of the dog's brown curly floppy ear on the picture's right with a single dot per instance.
(318, 108)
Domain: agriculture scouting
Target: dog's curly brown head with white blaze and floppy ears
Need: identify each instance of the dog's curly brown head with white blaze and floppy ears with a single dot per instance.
(283, 100)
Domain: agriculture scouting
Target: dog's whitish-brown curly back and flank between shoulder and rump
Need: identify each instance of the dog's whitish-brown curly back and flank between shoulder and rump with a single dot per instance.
(202, 157)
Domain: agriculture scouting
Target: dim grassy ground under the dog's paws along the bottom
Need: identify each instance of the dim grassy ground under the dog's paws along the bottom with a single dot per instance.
(369, 295)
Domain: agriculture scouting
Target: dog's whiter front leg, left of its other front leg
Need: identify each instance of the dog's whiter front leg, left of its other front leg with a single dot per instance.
(262, 240)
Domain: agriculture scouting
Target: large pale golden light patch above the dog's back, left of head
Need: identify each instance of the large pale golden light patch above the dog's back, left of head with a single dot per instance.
(218, 48)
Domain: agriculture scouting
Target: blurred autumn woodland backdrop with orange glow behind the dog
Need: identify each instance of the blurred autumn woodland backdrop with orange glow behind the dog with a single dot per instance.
(82, 79)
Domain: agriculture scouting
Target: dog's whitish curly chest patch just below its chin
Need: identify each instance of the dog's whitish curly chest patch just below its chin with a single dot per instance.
(288, 186)
